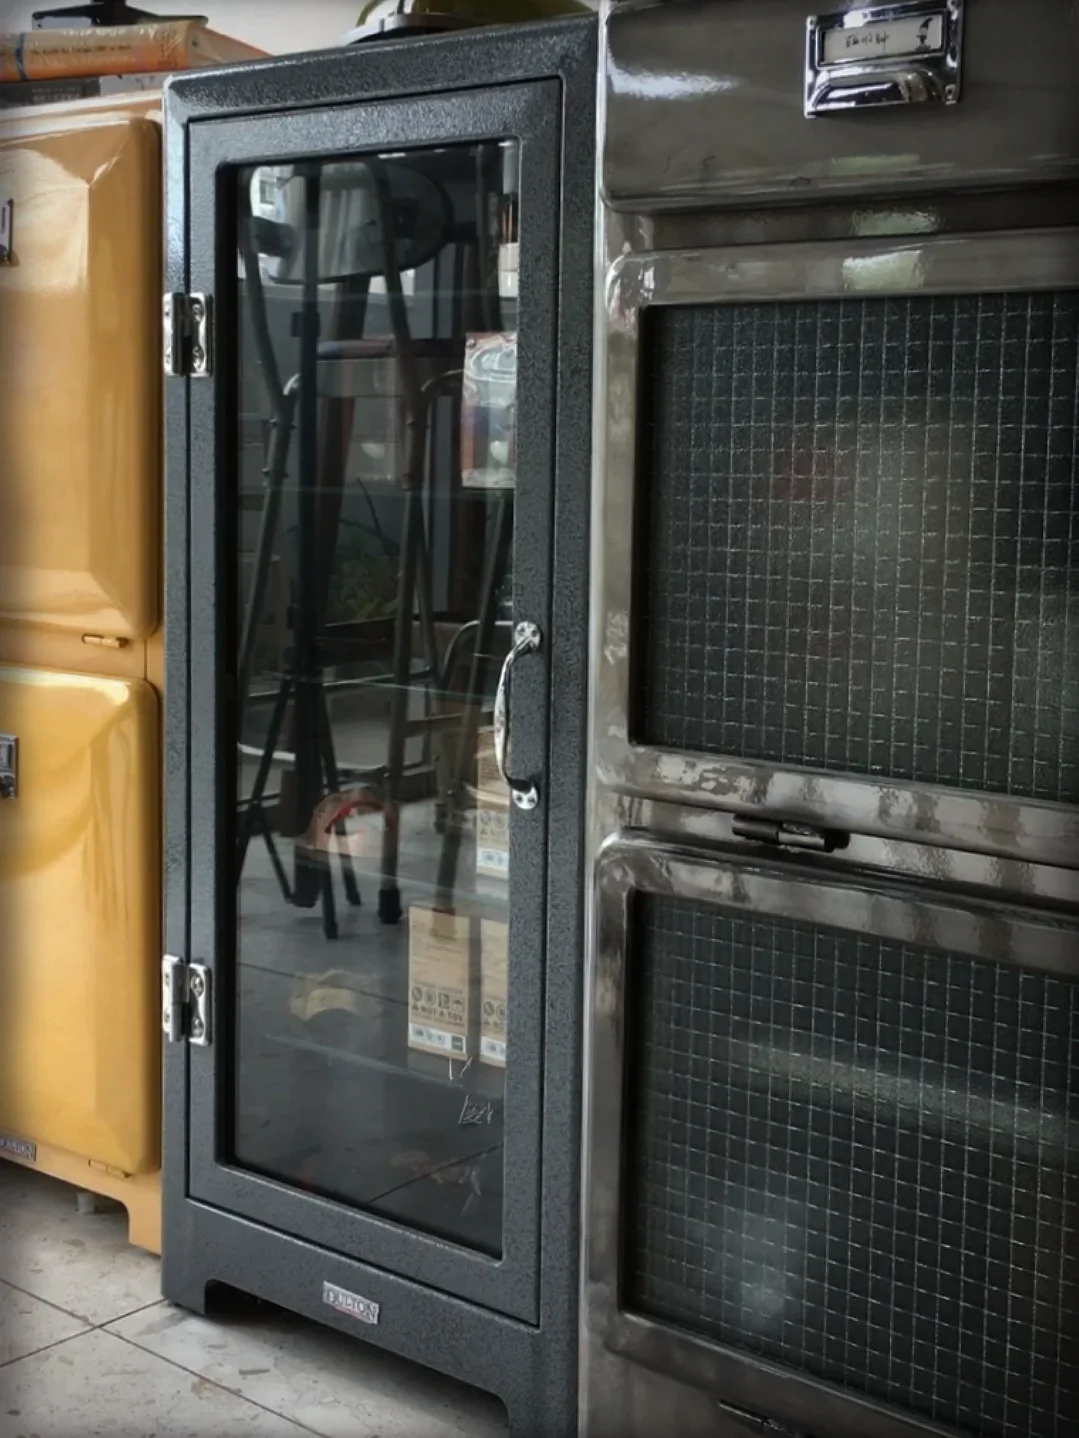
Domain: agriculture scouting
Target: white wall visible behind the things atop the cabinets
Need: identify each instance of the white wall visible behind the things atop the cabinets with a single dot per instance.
(280, 27)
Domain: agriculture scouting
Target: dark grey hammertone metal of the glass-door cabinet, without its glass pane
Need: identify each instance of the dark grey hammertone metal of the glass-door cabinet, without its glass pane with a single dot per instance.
(529, 1363)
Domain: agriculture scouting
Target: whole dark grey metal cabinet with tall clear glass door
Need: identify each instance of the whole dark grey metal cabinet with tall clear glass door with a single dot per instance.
(379, 273)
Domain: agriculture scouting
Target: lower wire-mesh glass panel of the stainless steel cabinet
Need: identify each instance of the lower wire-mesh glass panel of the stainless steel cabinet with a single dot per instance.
(861, 1160)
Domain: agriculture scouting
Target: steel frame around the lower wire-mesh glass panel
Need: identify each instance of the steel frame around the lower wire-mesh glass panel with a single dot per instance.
(635, 864)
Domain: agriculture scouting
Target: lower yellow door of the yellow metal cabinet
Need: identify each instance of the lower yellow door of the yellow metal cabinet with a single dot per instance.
(80, 918)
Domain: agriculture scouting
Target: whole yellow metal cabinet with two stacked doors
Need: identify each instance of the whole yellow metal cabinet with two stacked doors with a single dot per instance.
(81, 649)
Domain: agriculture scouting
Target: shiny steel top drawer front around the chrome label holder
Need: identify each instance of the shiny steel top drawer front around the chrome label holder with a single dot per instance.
(704, 106)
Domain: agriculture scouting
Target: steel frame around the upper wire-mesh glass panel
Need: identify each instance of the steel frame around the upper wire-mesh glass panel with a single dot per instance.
(1024, 830)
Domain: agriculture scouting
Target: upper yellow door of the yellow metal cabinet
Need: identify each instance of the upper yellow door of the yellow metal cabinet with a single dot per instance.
(81, 373)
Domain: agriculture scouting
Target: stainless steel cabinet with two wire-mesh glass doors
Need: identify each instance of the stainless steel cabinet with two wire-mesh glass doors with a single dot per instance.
(831, 1144)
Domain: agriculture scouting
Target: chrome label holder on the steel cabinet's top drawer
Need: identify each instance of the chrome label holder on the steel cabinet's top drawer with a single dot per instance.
(885, 55)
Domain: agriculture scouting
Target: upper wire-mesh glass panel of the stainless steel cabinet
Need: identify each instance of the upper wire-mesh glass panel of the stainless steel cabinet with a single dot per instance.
(858, 539)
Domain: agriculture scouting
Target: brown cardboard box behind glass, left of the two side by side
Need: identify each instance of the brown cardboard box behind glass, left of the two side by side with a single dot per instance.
(440, 983)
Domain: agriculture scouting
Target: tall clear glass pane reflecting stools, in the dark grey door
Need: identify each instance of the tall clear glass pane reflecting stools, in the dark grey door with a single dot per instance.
(373, 609)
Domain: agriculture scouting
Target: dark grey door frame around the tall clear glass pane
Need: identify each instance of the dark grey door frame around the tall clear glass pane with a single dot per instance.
(530, 113)
